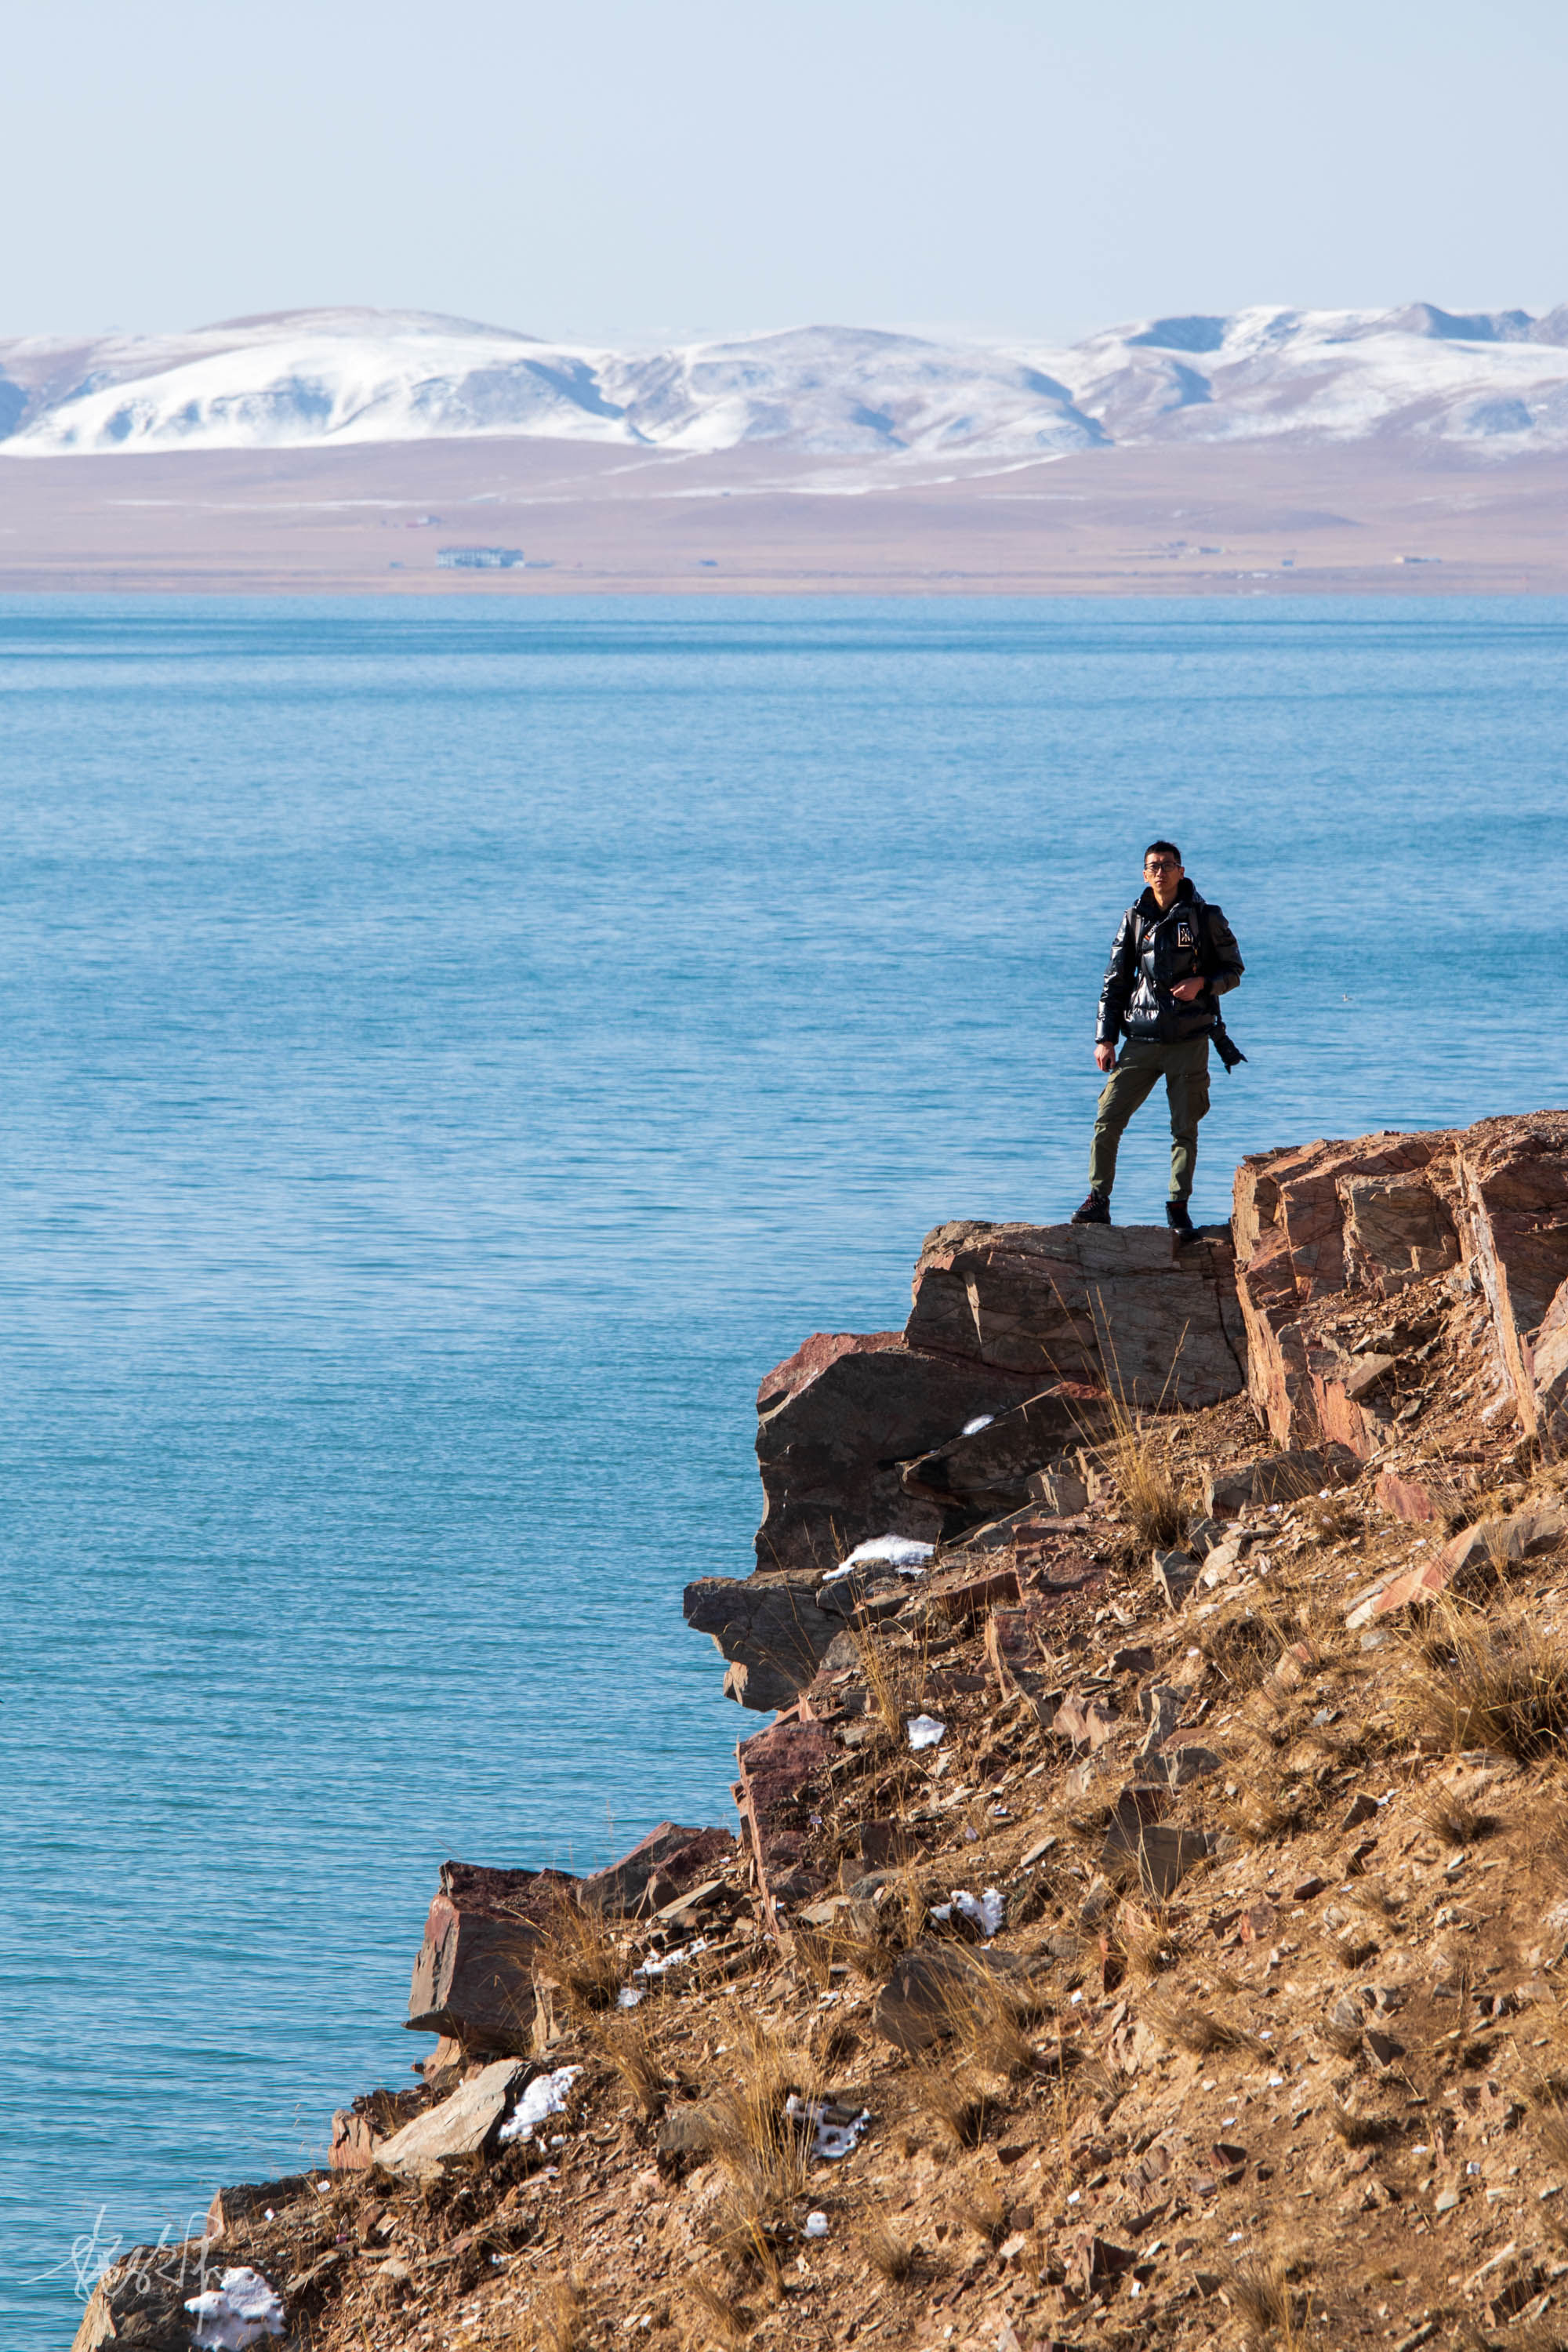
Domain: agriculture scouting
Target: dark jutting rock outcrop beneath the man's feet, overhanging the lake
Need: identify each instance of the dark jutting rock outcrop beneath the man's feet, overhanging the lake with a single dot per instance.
(970, 1417)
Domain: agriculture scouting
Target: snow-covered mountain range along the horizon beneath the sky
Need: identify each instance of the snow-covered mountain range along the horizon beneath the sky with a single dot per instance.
(335, 377)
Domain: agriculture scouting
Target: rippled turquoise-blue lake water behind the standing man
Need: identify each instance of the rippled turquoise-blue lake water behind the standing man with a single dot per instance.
(450, 1053)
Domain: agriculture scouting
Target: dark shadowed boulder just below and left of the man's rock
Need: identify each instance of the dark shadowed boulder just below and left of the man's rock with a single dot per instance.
(838, 1419)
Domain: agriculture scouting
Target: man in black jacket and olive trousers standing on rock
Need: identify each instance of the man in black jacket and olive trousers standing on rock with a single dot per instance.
(1172, 963)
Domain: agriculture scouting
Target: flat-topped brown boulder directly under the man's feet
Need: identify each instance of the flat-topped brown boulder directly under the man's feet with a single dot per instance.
(1108, 1307)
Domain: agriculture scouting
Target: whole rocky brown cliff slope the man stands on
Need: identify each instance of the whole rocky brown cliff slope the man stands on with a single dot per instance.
(1146, 1916)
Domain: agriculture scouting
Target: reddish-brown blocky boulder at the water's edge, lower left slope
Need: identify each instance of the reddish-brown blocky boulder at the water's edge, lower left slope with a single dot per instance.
(474, 1975)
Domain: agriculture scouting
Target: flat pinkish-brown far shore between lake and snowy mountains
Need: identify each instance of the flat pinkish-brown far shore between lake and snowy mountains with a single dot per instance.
(1254, 519)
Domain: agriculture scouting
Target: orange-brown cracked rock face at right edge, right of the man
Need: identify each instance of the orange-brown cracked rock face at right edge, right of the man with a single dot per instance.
(1412, 1222)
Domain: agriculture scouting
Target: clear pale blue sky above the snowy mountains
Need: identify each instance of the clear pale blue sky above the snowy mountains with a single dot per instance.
(636, 171)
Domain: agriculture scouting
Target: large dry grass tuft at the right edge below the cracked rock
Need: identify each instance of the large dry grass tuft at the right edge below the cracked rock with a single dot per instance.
(1489, 1681)
